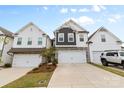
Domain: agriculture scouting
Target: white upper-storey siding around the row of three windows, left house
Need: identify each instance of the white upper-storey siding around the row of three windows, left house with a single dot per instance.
(34, 34)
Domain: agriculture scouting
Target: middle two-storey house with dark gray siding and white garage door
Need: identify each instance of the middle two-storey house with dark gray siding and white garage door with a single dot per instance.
(70, 43)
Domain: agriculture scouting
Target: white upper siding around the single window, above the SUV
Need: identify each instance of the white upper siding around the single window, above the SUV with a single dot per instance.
(110, 44)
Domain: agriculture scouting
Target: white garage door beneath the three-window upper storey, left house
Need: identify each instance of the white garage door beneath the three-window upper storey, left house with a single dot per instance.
(26, 60)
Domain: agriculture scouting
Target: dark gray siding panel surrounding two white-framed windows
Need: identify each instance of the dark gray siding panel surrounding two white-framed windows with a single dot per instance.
(65, 31)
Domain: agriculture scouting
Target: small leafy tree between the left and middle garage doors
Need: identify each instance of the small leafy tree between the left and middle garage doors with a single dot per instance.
(49, 55)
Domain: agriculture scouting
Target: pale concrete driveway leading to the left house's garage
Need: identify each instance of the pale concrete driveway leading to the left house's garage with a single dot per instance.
(8, 75)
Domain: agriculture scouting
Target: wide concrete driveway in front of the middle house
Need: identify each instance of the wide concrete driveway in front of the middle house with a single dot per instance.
(84, 75)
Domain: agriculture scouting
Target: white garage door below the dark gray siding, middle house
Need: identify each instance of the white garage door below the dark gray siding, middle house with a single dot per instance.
(71, 56)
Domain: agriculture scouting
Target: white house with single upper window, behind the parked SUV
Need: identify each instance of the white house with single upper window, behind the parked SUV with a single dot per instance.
(102, 40)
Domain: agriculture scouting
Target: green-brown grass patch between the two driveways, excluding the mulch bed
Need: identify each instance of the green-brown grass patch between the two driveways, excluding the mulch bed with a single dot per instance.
(31, 80)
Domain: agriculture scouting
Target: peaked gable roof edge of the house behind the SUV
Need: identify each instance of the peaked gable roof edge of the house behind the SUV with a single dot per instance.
(104, 29)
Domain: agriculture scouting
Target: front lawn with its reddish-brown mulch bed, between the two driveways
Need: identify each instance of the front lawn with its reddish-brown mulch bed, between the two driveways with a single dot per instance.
(38, 77)
